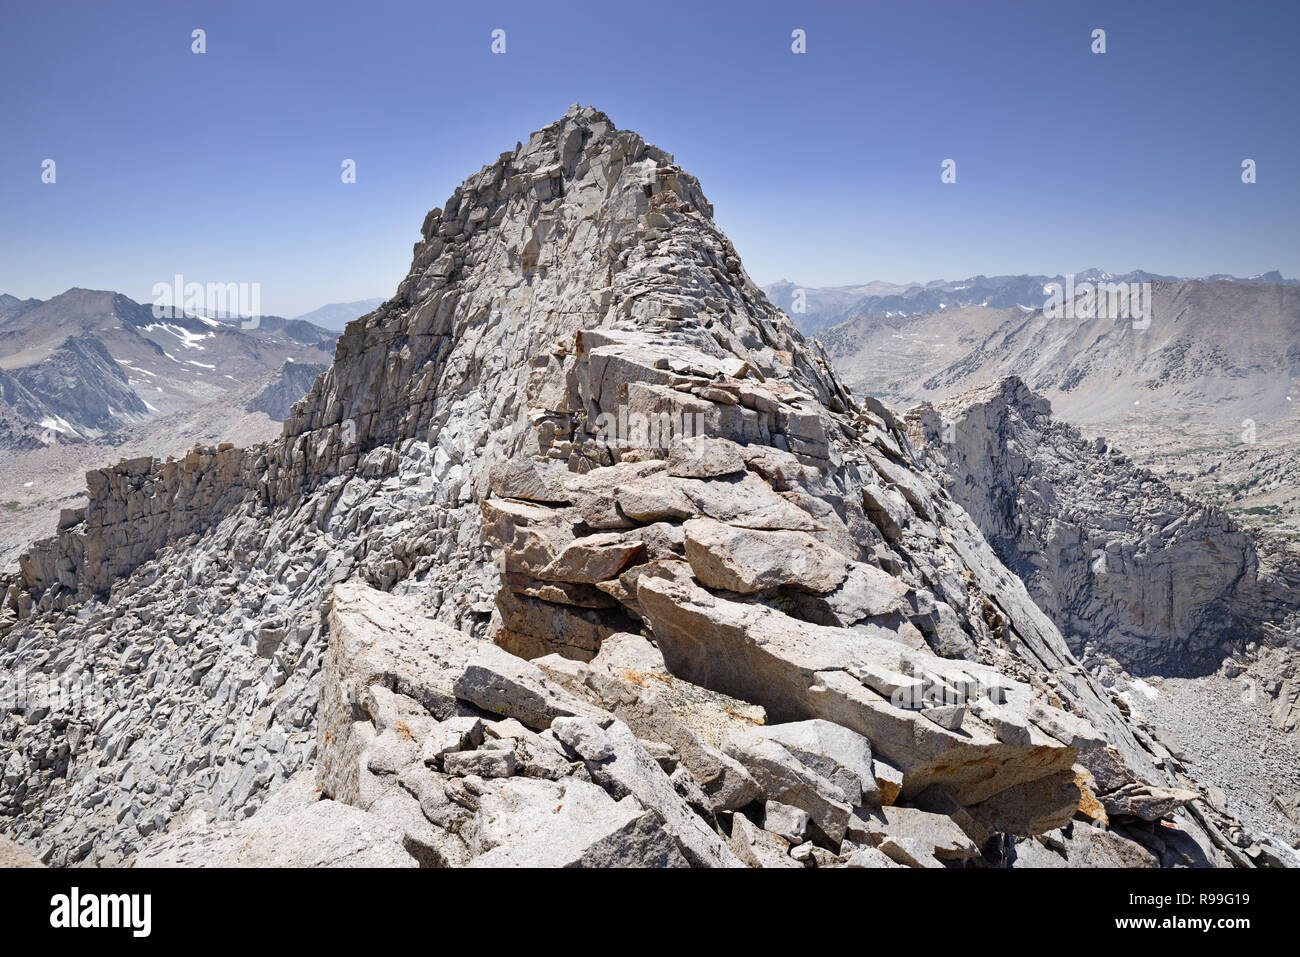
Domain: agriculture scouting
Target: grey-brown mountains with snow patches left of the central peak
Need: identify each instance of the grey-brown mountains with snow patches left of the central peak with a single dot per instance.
(88, 362)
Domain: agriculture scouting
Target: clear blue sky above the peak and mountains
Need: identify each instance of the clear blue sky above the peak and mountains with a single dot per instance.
(824, 168)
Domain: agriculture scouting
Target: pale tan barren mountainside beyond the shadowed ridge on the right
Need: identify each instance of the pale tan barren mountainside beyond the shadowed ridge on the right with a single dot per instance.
(1228, 350)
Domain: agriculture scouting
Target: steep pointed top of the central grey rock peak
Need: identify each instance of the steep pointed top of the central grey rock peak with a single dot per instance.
(583, 228)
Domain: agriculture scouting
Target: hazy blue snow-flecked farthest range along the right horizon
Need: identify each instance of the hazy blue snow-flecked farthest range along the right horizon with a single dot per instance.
(827, 306)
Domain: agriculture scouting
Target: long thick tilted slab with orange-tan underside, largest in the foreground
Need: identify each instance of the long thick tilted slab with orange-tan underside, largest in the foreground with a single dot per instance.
(799, 670)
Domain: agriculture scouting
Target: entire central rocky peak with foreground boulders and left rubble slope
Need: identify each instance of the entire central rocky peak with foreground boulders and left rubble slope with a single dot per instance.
(578, 555)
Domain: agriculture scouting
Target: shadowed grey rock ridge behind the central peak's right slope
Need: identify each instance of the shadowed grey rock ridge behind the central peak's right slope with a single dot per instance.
(1121, 562)
